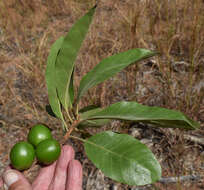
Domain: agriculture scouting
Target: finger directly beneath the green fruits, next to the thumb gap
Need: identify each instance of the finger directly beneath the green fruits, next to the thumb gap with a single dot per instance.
(44, 178)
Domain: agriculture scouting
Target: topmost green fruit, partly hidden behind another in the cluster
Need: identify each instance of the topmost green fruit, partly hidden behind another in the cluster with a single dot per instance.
(39, 133)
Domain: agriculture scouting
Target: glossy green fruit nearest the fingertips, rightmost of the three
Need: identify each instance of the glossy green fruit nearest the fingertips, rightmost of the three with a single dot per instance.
(48, 151)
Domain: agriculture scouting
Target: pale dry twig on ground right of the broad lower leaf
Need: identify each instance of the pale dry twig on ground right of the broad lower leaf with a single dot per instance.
(166, 180)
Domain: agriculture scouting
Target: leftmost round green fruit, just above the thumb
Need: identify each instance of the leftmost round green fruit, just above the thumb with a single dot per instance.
(22, 155)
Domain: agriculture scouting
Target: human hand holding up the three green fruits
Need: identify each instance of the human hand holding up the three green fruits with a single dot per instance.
(64, 174)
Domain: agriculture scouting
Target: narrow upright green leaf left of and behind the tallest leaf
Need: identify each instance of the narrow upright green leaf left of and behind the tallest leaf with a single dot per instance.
(51, 78)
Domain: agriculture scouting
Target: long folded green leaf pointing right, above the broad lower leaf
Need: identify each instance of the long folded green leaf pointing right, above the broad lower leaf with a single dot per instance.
(137, 112)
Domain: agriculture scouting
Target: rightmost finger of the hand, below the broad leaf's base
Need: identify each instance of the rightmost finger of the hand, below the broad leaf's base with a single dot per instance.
(74, 179)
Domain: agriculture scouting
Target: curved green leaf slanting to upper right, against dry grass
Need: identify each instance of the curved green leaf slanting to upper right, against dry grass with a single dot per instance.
(110, 66)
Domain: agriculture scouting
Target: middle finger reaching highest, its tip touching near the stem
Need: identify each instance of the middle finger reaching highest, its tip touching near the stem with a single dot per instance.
(60, 175)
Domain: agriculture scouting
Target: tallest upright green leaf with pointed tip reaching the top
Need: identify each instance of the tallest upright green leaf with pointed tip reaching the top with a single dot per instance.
(68, 54)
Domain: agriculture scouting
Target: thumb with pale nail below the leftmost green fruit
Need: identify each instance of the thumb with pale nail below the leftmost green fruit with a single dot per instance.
(14, 180)
